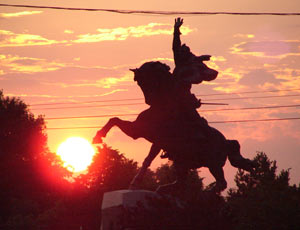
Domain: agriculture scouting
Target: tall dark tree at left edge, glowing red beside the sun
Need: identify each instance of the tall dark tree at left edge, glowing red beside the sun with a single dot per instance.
(26, 196)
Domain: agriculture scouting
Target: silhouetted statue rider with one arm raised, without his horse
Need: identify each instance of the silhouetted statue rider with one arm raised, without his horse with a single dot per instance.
(189, 69)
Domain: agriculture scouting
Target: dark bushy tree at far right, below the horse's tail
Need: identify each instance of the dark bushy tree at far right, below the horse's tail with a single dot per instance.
(263, 199)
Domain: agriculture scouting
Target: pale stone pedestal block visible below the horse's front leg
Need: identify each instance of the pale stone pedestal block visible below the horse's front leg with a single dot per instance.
(115, 206)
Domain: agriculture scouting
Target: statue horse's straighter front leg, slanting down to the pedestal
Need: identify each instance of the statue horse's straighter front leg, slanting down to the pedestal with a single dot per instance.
(154, 151)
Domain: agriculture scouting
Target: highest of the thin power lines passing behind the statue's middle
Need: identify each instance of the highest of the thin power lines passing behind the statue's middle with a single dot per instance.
(136, 99)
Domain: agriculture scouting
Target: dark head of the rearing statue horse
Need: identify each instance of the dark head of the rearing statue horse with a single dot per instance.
(154, 79)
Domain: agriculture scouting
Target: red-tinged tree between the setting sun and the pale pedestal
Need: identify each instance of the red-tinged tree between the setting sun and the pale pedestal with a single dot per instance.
(110, 170)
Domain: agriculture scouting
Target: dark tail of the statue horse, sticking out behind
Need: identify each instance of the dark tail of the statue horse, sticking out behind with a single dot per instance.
(235, 157)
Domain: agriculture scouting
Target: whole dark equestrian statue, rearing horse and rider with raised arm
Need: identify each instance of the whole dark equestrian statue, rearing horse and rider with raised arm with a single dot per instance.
(172, 123)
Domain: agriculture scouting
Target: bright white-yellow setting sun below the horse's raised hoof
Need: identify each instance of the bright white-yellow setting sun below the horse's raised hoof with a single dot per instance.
(76, 153)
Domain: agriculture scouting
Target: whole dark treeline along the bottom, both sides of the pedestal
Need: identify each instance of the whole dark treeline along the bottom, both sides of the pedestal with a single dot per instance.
(36, 192)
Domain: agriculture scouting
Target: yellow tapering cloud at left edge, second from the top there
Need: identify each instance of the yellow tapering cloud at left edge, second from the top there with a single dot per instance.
(10, 39)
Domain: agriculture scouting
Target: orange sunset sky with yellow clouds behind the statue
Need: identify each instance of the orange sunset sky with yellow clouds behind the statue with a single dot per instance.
(52, 56)
